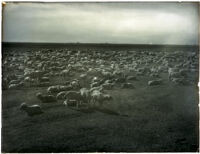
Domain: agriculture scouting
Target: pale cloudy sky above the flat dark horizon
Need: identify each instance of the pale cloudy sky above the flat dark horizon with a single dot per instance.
(129, 23)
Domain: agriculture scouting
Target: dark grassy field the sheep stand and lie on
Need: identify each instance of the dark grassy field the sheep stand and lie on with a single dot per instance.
(160, 118)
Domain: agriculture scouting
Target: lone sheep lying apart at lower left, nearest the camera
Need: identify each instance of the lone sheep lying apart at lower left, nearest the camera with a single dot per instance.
(31, 110)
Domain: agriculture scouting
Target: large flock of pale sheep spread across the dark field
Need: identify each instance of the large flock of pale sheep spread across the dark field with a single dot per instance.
(87, 76)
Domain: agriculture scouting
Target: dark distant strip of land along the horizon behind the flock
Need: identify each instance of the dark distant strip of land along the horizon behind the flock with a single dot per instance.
(102, 46)
